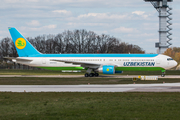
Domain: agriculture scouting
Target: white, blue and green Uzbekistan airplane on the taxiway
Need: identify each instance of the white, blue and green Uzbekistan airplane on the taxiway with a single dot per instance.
(92, 63)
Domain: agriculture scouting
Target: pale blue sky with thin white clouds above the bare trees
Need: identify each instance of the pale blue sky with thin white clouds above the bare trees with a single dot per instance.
(132, 21)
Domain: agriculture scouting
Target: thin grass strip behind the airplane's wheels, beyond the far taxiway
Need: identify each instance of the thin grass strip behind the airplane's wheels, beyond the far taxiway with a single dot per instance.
(49, 72)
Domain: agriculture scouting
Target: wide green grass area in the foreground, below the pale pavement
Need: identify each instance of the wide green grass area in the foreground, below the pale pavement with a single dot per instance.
(89, 106)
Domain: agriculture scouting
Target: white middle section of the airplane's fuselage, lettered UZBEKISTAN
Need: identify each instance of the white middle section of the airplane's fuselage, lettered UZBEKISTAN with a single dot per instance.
(158, 61)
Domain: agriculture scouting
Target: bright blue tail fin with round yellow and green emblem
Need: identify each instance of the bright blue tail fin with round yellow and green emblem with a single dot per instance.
(23, 46)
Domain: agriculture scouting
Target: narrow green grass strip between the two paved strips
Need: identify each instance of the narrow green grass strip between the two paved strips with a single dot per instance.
(75, 81)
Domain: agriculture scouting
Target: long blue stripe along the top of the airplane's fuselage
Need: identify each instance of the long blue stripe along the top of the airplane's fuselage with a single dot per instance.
(94, 55)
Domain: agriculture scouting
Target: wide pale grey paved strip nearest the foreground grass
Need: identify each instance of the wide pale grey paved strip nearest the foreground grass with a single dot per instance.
(166, 87)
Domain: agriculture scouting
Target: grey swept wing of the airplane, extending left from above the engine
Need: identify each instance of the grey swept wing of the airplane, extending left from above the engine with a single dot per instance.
(83, 64)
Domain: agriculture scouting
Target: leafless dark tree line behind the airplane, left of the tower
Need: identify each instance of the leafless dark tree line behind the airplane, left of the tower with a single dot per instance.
(77, 41)
